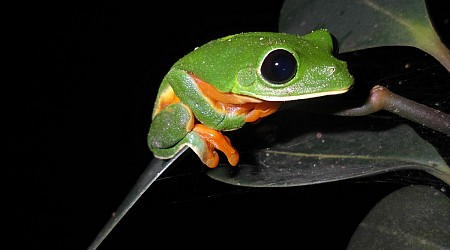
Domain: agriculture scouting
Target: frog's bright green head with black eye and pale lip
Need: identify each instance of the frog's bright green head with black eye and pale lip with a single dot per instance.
(294, 67)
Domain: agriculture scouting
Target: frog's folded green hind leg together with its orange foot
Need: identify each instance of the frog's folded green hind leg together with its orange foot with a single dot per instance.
(174, 127)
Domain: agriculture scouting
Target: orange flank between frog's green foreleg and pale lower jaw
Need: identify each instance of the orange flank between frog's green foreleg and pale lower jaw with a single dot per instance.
(252, 108)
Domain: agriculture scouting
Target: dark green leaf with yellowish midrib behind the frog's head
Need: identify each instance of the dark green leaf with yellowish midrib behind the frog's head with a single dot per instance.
(365, 24)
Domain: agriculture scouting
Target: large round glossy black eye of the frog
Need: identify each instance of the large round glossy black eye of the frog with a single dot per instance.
(279, 66)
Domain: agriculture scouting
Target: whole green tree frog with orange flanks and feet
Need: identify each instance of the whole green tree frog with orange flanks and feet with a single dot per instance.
(237, 79)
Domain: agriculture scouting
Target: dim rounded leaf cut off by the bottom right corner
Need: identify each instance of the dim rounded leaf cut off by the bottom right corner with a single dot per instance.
(413, 217)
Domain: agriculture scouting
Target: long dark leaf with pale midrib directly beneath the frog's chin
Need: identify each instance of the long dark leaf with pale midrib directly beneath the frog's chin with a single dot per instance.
(337, 148)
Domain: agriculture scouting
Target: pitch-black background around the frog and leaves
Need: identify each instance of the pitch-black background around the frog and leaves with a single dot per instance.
(79, 85)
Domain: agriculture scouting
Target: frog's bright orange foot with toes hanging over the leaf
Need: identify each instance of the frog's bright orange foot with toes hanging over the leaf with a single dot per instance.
(217, 141)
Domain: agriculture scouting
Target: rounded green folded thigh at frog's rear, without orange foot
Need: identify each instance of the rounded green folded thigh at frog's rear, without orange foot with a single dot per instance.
(170, 126)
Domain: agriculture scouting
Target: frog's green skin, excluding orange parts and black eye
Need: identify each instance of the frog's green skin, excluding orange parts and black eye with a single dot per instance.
(233, 65)
